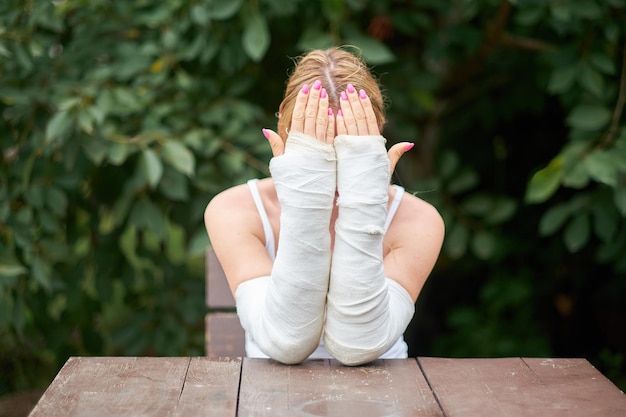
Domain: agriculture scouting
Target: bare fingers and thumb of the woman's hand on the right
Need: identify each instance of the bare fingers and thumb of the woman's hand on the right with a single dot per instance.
(357, 118)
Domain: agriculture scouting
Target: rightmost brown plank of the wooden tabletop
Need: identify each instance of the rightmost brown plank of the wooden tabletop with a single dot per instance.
(522, 387)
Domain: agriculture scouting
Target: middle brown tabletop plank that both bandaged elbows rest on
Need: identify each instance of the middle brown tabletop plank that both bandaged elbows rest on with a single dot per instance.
(321, 387)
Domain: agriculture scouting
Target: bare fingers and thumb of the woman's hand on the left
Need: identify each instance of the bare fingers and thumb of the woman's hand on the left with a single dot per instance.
(311, 116)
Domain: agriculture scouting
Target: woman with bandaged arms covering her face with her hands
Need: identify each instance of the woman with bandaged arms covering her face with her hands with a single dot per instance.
(325, 258)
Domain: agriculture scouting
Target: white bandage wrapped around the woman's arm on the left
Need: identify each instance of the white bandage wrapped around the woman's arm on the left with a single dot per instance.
(284, 313)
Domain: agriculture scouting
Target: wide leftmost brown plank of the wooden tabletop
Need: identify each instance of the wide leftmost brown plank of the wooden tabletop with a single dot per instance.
(121, 386)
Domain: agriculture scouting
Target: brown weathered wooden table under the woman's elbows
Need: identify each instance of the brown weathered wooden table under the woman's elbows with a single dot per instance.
(146, 386)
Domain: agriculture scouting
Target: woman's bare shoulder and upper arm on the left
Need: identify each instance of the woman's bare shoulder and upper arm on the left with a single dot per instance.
(235, 230)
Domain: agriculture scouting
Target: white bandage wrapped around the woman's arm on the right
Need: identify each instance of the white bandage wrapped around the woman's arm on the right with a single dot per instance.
(366, 312)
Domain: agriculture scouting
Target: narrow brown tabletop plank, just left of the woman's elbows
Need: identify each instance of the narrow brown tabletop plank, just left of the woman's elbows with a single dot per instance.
(210, 389)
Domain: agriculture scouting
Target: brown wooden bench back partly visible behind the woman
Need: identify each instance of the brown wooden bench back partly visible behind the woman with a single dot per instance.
(224, 336)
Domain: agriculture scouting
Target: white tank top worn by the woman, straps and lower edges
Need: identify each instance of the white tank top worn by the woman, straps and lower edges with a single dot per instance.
(398, 351)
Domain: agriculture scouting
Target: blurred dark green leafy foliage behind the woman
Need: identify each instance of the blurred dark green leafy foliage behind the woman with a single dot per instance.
(121, 119)
